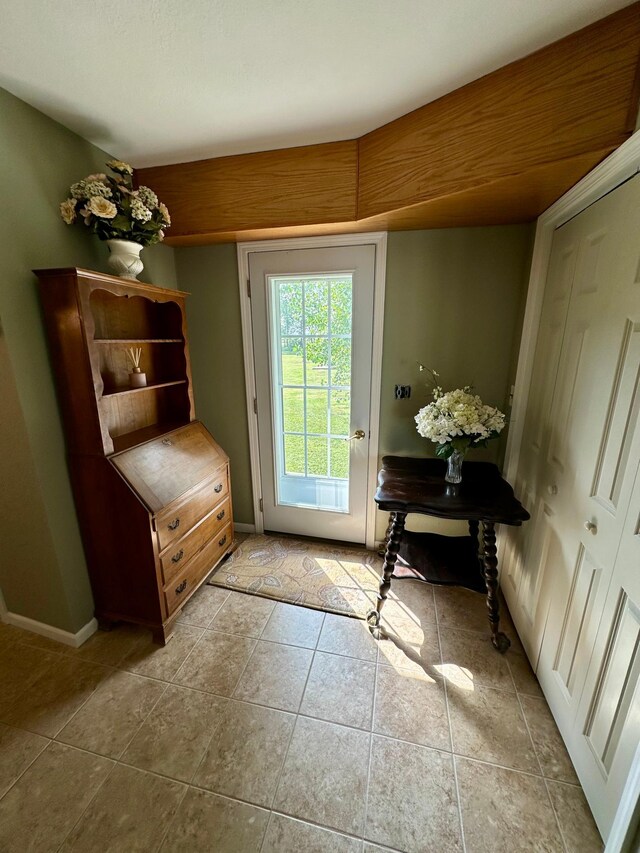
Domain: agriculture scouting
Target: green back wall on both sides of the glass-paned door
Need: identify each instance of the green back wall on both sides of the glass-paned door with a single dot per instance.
(454, 302)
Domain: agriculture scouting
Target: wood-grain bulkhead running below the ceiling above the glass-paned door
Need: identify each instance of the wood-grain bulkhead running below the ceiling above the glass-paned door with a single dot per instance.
(498, 150)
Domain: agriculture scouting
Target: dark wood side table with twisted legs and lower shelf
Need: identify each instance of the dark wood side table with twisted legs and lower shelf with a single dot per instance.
(482, 498)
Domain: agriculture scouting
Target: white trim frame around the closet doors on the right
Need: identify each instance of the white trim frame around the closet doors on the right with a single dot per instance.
(618, 167)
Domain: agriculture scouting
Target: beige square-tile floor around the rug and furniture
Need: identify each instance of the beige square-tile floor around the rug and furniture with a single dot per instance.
(267, 727)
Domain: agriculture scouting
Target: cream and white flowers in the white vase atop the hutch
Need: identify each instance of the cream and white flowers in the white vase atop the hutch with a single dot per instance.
(114, 210)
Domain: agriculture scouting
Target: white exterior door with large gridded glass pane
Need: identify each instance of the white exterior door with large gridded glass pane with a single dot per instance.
(312, 323)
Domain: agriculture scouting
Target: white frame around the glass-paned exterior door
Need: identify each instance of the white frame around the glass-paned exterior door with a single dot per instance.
(377, 239)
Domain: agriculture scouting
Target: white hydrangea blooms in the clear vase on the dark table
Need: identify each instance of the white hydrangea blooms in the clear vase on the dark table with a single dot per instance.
(457, 420)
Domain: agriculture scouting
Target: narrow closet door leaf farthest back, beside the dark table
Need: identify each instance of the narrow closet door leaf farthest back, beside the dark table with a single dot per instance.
(528, 547)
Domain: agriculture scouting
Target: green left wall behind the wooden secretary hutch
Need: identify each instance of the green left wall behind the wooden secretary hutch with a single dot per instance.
(42, 568)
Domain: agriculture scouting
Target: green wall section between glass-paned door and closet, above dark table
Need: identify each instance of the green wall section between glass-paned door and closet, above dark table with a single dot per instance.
(453, 303)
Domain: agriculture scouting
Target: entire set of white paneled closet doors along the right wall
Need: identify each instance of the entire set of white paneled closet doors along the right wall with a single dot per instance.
(577, 573)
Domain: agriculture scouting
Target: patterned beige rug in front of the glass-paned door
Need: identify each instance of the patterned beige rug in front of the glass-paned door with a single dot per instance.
(337, 579)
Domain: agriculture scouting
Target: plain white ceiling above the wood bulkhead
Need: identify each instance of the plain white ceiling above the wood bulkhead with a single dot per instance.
(156, 82)
